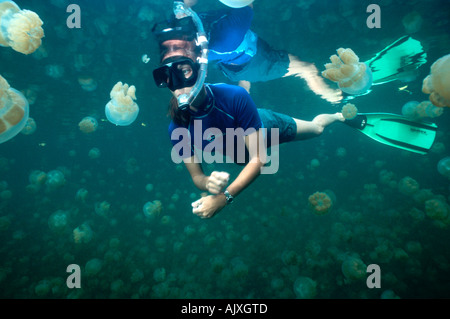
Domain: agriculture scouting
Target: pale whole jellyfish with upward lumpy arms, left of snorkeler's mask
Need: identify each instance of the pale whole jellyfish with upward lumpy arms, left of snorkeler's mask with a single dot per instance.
(122, 110)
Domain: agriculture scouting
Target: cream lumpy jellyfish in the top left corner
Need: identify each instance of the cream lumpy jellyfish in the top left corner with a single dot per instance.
(20, 29)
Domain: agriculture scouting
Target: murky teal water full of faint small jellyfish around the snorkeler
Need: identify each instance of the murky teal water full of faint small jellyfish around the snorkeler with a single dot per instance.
(269, 243)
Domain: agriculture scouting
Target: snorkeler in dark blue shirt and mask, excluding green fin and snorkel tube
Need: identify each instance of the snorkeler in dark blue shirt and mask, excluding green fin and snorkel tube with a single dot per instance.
(218, 107)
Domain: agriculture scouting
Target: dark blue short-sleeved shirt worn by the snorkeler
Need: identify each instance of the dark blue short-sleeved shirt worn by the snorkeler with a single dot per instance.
(227, 107)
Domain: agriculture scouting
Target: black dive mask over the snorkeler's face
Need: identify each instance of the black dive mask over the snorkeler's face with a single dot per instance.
(177, 73)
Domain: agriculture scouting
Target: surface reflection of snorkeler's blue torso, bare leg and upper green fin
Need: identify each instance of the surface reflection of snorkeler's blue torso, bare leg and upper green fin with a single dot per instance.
(244, 57)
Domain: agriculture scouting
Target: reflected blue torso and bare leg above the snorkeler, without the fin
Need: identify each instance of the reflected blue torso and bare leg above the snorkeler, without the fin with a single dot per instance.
(243, 57)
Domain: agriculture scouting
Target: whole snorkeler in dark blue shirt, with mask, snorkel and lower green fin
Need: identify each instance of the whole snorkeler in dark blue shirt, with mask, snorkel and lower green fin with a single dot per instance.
(205, 114)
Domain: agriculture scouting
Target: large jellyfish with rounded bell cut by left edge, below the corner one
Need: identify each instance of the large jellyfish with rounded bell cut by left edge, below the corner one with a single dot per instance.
(14, 111)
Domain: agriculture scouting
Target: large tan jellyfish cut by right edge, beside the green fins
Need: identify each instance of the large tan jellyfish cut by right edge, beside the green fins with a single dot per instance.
(437, 83)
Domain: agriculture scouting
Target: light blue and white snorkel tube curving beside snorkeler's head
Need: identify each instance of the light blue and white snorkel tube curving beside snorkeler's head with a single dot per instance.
(181, 10)
